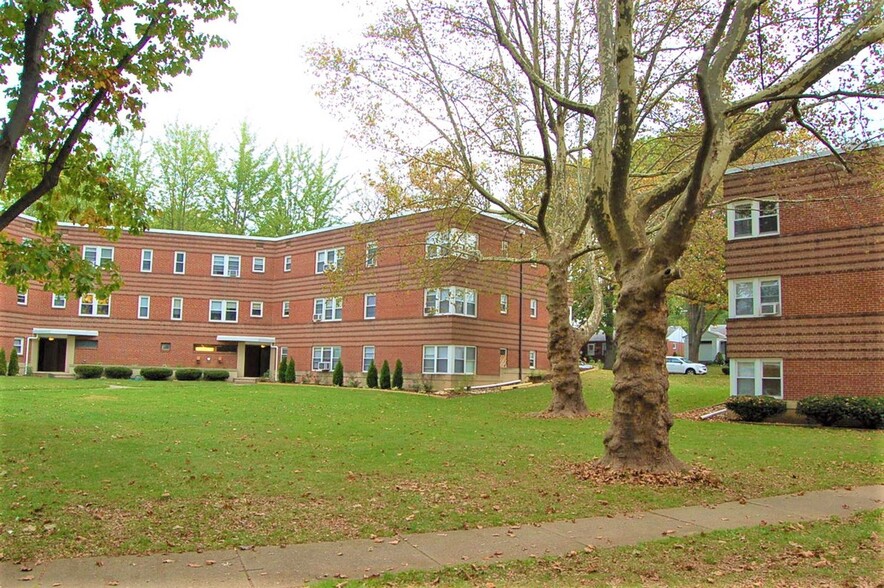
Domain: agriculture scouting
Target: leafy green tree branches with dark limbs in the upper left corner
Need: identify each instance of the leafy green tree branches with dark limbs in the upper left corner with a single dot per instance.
(67, 67)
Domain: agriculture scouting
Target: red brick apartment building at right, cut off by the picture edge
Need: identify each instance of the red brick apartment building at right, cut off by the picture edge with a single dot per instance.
(805, 271)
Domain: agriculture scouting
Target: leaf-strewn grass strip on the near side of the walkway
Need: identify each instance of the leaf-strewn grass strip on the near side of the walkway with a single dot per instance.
(825, 553)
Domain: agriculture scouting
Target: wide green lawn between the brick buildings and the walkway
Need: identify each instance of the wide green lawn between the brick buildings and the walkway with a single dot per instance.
(90, 468)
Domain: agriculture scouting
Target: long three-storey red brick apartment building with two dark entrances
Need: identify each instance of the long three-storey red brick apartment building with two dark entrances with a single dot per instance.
(407, 288)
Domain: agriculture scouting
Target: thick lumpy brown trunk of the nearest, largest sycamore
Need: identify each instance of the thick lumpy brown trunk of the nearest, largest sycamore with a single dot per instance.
(639, 435)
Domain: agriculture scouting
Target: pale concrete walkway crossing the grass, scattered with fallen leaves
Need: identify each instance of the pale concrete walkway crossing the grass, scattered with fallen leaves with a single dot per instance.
(298, 564)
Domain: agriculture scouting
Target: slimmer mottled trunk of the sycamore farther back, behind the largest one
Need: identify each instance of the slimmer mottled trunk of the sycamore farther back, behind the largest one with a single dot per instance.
(564, 348)
